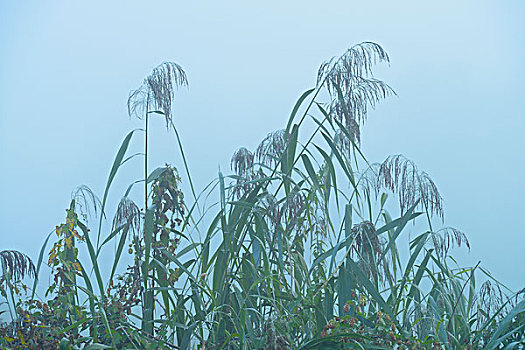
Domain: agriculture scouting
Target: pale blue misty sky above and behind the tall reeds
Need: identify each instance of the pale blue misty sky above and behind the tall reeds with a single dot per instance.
(66, 69)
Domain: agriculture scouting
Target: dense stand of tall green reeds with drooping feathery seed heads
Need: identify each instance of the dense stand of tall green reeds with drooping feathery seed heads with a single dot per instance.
(298, 249)
